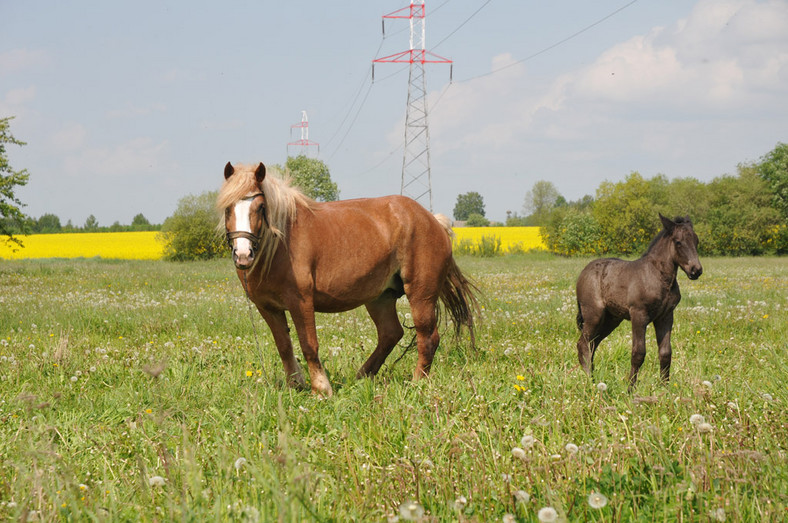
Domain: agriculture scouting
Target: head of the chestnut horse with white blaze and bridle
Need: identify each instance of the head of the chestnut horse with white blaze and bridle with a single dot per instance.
(244, 212)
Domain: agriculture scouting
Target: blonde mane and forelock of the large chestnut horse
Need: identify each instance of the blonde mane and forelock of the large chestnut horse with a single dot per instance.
(281, 200)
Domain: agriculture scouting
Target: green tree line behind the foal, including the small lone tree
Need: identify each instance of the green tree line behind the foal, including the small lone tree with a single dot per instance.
(733, 215)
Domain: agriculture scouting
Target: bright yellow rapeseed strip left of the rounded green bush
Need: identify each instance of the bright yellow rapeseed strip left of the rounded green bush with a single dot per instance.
(119, 245)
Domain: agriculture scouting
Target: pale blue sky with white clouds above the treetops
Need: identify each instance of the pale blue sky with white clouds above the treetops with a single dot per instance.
(128, 106)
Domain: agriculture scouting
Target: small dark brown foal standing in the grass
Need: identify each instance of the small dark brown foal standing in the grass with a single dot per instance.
(645, 290)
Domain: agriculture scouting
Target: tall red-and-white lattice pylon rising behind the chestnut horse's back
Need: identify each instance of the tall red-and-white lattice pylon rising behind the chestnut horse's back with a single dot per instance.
(416, 175)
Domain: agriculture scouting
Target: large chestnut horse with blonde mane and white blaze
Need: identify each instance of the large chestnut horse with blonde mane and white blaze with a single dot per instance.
(294, 254)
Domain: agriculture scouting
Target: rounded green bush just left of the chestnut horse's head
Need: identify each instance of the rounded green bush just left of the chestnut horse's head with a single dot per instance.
(190, 233)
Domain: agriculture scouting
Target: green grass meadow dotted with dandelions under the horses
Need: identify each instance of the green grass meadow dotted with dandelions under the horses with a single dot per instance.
(136, 390)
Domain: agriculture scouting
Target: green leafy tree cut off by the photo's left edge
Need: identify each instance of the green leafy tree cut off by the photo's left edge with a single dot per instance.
(12, 219)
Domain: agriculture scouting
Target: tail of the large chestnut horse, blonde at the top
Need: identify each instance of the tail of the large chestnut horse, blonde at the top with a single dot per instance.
(458, 294)
